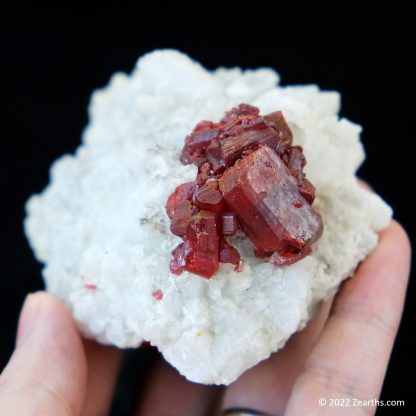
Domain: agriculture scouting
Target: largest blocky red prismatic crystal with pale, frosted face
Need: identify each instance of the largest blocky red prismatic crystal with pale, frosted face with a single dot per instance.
(261, 190)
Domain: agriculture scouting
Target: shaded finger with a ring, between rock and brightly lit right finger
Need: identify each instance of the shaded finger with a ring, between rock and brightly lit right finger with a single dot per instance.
(266, 387)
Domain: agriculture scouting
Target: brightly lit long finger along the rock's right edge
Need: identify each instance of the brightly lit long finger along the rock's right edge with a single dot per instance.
(350, 359)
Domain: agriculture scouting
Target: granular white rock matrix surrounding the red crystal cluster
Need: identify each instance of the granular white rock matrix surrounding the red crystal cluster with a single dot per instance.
(101, 230)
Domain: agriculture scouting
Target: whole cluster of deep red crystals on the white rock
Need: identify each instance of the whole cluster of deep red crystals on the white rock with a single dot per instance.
(249, 176)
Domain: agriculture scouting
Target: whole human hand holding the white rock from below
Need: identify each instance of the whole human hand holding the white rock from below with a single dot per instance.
(343, 353)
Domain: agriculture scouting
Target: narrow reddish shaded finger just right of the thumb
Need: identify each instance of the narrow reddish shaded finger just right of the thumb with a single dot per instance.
(103, 366)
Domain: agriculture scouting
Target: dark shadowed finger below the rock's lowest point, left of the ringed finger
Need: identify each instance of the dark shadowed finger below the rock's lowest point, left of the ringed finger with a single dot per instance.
(169, 393)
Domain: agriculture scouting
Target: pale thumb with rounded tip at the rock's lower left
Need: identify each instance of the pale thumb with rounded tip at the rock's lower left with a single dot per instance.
(46, 374)
